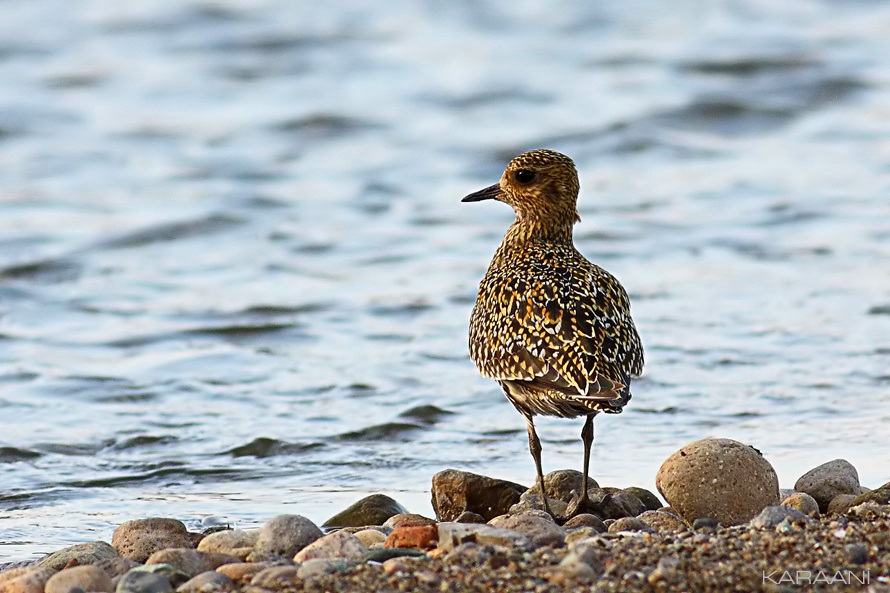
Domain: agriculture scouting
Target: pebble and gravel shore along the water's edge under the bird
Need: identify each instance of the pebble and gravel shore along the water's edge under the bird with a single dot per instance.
(490, 536)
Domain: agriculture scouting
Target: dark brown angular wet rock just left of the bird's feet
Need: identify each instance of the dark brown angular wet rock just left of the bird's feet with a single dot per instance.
(454, 492)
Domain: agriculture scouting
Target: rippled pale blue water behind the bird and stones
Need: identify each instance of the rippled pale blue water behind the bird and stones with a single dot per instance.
(235, 275)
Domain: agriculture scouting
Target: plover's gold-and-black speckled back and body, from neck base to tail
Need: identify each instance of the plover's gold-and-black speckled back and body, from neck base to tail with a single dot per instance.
(554, 329)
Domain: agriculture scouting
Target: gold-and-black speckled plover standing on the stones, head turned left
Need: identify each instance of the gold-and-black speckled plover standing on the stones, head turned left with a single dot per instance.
(553, 329)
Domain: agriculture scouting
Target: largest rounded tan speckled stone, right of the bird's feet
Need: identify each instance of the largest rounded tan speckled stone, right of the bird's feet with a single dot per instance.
(718, 478)
